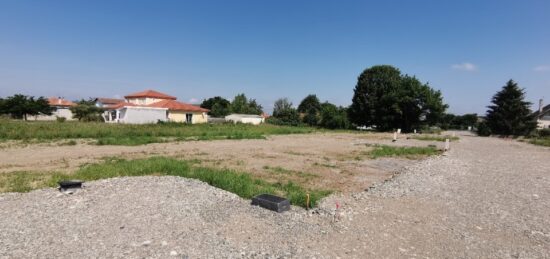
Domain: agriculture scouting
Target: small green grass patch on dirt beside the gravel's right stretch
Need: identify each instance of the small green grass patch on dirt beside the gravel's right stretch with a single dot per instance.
(407, 152)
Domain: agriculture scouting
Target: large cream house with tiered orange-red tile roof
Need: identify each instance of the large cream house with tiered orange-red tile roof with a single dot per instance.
(150, 106)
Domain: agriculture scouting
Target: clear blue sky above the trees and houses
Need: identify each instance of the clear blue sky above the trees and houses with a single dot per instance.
(271, 49)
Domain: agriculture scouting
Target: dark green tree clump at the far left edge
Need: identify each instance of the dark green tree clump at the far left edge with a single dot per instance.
(19, 106)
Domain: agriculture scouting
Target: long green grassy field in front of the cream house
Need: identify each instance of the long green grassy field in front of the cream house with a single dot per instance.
(126, 134)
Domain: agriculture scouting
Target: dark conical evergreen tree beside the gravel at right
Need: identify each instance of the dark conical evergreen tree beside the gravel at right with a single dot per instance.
(510, 113)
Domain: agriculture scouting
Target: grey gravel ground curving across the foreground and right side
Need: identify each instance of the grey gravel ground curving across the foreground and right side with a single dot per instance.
(486, 198)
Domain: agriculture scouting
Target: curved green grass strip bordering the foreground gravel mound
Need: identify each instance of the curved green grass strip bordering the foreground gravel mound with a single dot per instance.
(242, 184)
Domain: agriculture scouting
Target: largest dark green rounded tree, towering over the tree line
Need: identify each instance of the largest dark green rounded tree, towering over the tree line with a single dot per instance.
(385, 98)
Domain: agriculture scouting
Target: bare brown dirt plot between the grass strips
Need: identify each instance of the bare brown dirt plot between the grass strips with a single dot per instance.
(334, 161)
